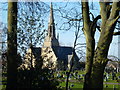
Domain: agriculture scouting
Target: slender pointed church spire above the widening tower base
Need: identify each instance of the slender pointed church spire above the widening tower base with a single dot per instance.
(51, 25)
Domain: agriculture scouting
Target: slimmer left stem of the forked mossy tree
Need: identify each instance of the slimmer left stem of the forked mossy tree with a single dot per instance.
(90, 43)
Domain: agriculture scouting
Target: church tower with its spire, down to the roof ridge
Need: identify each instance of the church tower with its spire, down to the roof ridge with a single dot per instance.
(50, 39)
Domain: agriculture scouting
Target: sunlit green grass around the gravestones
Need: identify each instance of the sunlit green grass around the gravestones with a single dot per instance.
(76, 83)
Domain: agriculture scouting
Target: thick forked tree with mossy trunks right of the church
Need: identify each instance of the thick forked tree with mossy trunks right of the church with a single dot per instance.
(96, 59)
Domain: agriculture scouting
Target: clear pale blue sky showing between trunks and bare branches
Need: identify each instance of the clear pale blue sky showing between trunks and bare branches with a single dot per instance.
(66, 38)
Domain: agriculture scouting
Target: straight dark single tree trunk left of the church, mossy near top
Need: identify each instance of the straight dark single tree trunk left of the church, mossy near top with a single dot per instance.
(12, 46)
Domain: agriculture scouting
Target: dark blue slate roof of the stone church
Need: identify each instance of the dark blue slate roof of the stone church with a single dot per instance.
(61, 52)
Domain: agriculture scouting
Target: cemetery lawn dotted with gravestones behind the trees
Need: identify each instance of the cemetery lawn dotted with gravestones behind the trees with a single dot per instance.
(76, 79)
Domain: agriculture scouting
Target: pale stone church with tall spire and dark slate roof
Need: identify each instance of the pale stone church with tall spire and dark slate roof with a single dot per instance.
(54, 56)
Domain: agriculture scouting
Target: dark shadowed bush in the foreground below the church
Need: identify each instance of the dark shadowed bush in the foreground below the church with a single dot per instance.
(36, 79)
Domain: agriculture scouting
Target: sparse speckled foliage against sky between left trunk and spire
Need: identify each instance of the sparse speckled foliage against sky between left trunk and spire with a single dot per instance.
(30, 26)
